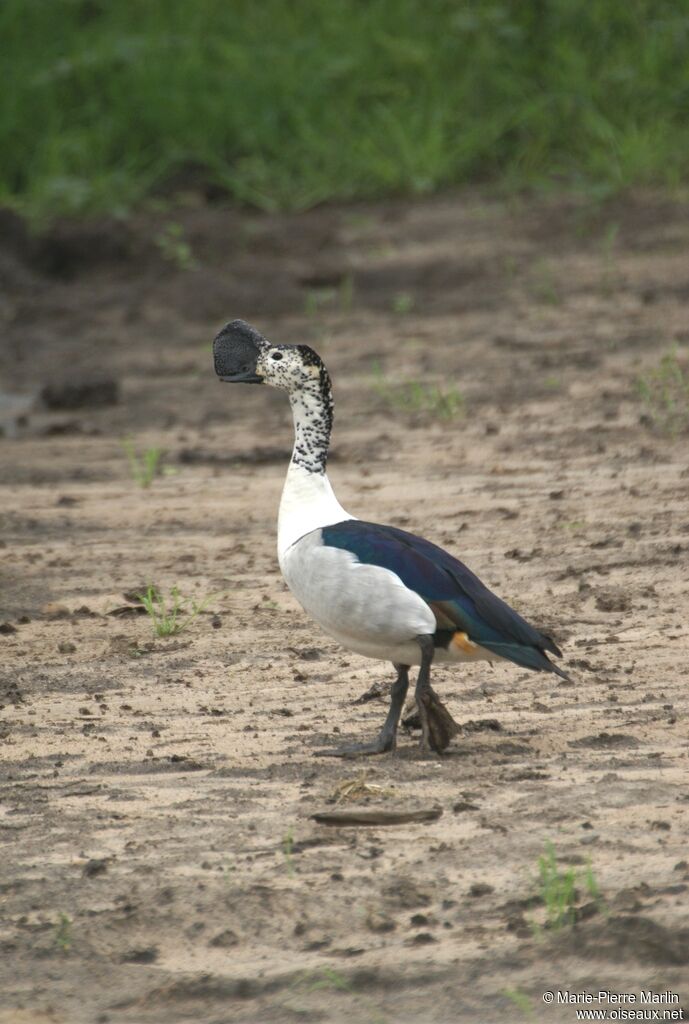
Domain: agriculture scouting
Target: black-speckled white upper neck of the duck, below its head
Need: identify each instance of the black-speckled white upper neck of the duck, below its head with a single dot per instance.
(313, 412)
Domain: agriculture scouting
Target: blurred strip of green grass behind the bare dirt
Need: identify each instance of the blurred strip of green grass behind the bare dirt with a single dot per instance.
(288, 104)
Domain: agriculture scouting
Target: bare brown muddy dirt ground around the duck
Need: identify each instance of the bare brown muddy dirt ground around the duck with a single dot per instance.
(160, 862)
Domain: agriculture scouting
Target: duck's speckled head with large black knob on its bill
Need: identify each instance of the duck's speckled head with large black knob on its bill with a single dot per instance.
(242, 356)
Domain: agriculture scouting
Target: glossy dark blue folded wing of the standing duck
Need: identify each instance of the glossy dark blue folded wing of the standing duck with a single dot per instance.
(447, 583)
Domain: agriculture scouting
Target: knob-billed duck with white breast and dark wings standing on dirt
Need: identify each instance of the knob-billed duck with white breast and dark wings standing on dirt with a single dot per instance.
(377, 590)
